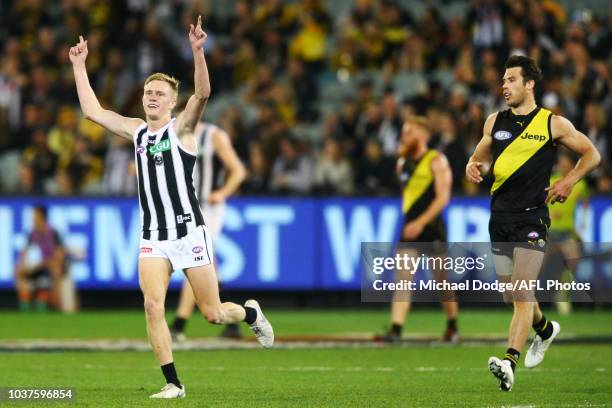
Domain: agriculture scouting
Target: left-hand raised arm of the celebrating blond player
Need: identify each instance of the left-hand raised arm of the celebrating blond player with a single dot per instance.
(113, 122)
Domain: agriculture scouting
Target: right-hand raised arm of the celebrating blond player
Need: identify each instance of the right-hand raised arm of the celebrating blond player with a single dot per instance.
(187, 120)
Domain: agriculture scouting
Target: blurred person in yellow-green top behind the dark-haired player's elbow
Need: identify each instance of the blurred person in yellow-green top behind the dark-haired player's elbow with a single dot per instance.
(563, 233)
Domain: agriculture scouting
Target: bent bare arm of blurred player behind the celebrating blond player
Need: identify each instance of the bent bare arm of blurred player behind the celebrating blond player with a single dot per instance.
(236, 172)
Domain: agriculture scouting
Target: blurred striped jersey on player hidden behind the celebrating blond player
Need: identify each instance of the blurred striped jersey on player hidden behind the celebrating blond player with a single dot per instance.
(210, 173)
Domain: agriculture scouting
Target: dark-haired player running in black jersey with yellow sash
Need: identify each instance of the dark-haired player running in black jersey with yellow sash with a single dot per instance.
(520, 142)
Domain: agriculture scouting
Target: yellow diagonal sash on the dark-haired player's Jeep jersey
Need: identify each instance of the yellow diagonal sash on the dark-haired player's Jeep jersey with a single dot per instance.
(534, 137)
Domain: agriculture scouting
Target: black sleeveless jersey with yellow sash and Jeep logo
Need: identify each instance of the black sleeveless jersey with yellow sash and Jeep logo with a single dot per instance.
(523, 157)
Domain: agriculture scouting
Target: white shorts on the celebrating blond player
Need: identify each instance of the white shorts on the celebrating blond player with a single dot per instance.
(194, 249)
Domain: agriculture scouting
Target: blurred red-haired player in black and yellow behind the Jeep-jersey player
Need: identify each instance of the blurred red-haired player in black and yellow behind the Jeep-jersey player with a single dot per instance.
(427, 182)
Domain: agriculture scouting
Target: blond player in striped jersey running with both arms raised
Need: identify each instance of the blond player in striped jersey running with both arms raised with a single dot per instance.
(173, 232)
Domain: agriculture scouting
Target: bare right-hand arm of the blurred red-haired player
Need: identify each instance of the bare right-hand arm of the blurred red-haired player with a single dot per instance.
(443, 180)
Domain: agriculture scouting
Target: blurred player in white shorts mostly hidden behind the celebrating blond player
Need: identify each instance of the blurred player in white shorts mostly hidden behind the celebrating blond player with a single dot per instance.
(218, 174)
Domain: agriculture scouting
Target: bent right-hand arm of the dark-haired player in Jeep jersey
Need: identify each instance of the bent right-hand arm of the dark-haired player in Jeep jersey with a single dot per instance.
(564, 133)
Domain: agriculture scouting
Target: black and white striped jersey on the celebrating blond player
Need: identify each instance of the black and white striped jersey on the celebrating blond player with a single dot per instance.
(169, 207)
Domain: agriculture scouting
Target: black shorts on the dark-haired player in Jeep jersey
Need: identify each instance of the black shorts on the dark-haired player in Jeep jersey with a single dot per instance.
(524, 230)
